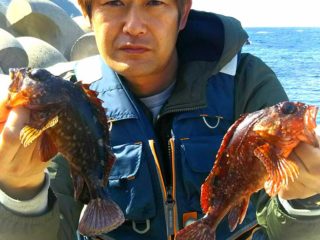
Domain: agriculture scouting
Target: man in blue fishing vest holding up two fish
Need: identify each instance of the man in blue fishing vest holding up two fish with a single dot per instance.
(172, 81)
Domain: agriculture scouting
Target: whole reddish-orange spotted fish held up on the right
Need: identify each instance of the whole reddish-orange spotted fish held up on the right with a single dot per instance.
(253, 154)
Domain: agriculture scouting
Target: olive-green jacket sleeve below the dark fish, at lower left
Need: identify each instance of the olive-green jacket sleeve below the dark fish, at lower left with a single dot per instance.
(61, 219)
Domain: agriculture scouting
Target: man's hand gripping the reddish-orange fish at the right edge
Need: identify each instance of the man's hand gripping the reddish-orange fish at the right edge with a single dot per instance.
(308, 183)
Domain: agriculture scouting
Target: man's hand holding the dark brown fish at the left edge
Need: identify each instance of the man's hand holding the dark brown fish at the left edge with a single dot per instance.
(22, 173)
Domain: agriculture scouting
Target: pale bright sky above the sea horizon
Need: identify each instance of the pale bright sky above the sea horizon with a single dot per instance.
(272, 13)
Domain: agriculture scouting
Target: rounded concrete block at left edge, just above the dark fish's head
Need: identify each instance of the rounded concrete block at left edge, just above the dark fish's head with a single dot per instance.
(12, 53)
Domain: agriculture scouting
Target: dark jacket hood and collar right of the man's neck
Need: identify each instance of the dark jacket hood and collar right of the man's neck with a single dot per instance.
(208, 45)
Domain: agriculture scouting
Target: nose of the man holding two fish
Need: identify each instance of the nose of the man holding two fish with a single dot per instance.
(135, 22)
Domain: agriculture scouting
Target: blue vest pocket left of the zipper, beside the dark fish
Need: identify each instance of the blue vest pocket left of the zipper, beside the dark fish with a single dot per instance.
(130, 182)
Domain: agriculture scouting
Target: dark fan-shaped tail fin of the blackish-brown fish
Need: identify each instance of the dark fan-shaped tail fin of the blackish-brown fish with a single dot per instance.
(100, 216)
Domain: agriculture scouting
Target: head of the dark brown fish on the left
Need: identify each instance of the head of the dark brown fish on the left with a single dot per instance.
(29, 87)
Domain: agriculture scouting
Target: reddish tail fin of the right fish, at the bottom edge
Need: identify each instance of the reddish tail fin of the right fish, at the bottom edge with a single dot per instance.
(199, 230)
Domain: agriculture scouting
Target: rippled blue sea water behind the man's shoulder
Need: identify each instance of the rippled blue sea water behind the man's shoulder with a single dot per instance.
(294, 55)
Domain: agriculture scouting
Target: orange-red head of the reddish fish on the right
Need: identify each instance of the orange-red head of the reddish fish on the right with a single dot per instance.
(288, 122)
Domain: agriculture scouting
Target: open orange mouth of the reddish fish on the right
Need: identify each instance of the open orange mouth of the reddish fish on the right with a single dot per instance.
(310, 125)
